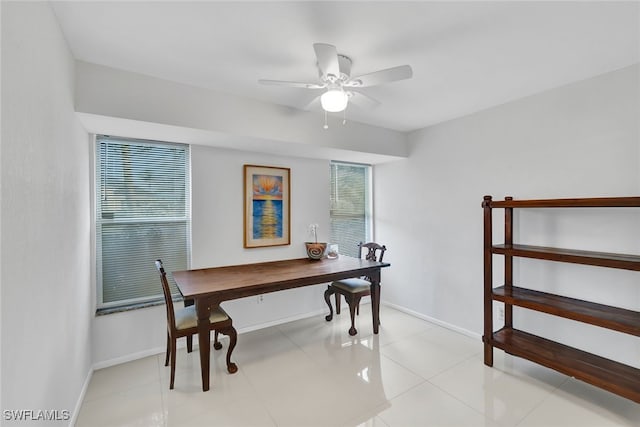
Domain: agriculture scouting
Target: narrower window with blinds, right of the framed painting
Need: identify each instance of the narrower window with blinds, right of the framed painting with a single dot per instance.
(350, 206)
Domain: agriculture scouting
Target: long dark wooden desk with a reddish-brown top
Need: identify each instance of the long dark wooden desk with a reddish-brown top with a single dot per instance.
(208, 287)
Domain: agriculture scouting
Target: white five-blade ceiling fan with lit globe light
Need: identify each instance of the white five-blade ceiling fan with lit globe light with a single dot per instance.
(335, 76)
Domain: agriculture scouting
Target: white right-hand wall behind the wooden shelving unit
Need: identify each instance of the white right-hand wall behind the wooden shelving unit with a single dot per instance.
(581, 140)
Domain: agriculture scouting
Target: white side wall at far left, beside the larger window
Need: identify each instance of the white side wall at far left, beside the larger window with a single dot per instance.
(46, 288)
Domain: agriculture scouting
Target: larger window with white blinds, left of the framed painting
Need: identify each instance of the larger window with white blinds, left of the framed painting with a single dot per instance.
(142, 214)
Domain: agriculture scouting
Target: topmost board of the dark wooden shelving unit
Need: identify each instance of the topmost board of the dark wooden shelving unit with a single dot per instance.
(595, 202)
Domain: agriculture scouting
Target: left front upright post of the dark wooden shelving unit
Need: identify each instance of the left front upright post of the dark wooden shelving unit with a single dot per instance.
(488, 283)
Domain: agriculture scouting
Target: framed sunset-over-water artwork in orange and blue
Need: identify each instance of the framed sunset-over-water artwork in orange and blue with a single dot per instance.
(266, 206)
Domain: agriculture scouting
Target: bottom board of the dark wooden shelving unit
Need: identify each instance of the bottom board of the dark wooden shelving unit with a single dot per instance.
(615, 377)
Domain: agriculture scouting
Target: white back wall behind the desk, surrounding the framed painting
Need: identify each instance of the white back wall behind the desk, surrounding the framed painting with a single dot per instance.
(217, 239)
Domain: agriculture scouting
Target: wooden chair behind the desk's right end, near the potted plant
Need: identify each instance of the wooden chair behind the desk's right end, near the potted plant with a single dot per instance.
(353, 289)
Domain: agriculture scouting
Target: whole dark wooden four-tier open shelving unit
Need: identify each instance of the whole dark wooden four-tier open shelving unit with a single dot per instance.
(615, 377)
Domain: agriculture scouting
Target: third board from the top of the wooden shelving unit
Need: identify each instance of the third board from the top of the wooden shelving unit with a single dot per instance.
(609, 317)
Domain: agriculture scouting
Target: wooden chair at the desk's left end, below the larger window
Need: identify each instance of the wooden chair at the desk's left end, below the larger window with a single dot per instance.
(183, 322)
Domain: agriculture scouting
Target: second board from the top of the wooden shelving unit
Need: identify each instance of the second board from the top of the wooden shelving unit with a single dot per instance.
(602, 259)
